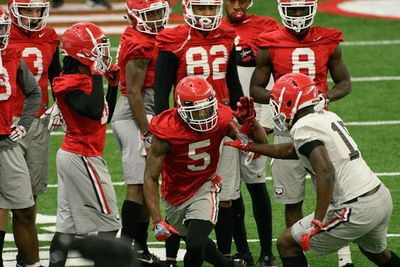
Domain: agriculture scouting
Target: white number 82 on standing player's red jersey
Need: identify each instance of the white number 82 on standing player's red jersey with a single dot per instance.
(197, 60)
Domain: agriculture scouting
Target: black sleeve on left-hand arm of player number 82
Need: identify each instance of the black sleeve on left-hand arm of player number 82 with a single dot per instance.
(165, 78)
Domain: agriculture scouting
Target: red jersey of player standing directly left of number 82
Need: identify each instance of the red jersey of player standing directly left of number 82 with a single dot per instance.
(136, 45)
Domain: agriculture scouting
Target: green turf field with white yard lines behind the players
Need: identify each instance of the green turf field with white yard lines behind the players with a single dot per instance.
(370, 101)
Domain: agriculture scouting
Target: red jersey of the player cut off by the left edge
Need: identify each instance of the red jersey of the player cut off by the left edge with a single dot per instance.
(8, 83)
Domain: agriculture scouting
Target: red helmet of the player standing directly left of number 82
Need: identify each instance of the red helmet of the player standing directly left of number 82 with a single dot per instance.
(148, 16)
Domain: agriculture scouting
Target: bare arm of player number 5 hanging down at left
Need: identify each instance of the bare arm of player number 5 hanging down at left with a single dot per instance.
(155, 158)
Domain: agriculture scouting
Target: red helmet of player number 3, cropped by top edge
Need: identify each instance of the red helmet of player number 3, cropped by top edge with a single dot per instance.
(30, 15)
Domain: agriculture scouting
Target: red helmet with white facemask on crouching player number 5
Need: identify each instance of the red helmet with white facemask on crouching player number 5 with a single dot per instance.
(197, 104)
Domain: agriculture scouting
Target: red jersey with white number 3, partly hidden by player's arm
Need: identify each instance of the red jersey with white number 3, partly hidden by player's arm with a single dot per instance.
(37, 51)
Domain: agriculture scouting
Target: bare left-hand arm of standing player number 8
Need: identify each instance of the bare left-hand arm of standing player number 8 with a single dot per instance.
(260, 78)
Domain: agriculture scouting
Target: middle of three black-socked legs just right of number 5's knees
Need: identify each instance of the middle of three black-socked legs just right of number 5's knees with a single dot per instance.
(239, 228)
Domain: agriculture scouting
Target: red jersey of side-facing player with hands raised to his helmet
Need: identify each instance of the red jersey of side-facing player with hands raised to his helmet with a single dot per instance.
(83, 136)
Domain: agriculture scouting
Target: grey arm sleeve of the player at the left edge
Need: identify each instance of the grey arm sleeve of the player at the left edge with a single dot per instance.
(33, 95)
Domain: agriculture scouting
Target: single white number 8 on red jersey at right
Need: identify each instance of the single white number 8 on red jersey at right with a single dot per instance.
(304, 61)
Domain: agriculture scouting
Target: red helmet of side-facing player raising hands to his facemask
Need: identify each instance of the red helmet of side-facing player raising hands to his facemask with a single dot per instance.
(87, 43)
